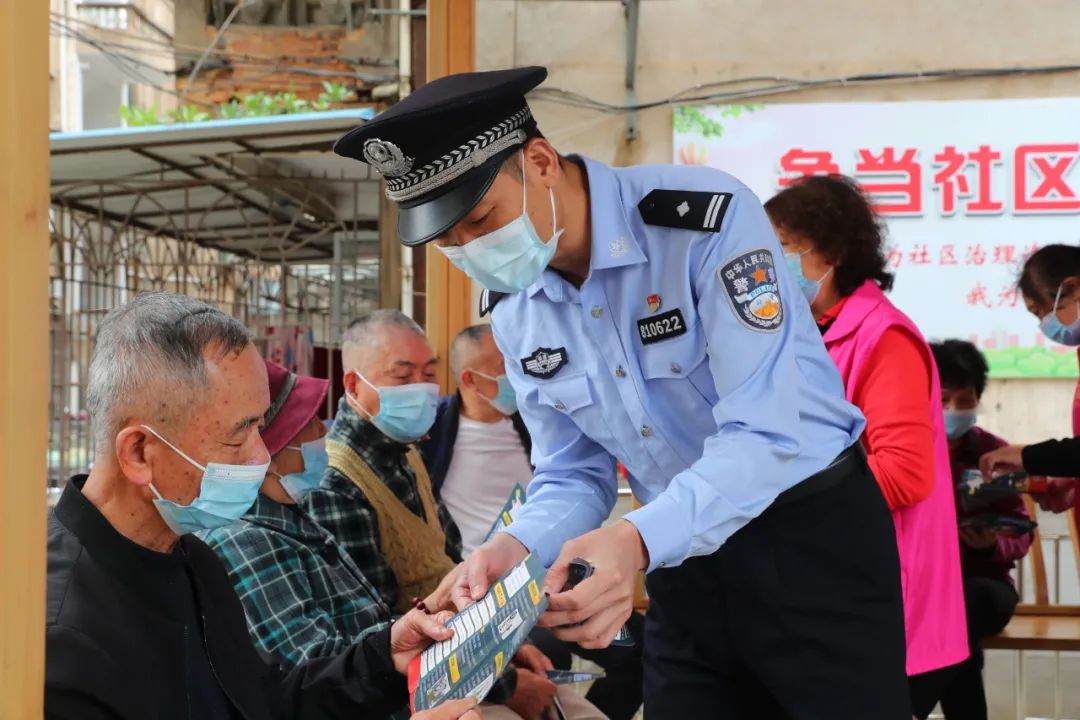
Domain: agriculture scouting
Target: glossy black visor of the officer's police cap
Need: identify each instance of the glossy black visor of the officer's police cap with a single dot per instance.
(431, 218)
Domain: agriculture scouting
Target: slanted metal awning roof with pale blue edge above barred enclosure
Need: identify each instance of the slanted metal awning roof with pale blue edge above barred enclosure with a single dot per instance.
(269, 187)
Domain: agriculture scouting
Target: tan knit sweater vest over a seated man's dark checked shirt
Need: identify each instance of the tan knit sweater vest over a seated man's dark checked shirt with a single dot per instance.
(414, 548)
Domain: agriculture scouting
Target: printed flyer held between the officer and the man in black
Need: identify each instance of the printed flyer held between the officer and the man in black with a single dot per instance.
(487, 635)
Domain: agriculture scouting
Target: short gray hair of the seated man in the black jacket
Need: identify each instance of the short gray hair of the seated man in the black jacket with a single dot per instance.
(155, 341)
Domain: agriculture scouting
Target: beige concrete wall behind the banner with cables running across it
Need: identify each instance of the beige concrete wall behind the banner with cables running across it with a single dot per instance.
(686, 43)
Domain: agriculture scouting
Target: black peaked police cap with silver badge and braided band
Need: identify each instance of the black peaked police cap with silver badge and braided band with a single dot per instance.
(441, 148)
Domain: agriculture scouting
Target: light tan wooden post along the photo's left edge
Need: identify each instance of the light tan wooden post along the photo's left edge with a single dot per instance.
(24, 354)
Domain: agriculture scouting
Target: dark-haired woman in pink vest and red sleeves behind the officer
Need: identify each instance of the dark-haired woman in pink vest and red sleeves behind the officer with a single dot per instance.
(834, 248)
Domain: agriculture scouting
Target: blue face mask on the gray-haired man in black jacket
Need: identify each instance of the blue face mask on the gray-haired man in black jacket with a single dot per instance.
(225, 494)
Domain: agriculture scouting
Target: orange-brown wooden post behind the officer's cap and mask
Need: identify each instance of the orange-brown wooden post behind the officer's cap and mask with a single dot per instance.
(452, 29)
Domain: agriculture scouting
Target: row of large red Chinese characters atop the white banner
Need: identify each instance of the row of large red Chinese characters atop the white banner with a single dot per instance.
(1043, 176)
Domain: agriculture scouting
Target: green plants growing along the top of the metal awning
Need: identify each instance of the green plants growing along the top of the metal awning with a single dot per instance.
(259, 105)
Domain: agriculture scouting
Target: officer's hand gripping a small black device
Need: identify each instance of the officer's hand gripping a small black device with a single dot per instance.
(605, 601)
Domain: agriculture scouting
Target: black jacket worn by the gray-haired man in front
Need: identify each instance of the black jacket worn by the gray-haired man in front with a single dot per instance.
(118, 645)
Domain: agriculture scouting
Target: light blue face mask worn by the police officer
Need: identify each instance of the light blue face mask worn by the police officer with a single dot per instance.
(510, 259)
